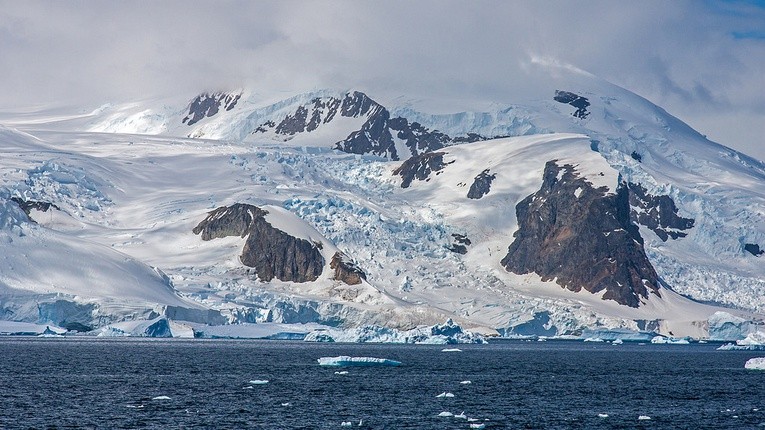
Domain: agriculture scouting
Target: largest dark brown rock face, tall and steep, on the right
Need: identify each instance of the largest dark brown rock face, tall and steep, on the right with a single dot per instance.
(584, 242)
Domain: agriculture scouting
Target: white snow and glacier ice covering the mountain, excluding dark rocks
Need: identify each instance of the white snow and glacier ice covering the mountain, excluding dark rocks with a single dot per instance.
(130, 182)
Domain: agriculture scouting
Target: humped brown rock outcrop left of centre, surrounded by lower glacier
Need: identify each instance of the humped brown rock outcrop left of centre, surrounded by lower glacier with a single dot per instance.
(270, 251)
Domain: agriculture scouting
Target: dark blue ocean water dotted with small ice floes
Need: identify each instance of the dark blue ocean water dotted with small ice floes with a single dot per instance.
(110, 384)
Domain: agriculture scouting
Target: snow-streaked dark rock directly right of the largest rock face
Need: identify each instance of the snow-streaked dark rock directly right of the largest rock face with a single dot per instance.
(658, 213)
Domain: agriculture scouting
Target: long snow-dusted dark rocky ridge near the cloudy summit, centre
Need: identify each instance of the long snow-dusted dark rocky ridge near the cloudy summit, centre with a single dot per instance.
(376, 135)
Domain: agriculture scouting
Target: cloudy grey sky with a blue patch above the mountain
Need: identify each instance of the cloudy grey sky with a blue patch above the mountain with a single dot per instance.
(703, 61)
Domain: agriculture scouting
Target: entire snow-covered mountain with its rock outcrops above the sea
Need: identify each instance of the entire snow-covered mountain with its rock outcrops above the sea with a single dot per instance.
(586, 208)
